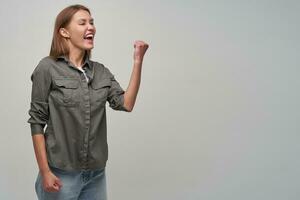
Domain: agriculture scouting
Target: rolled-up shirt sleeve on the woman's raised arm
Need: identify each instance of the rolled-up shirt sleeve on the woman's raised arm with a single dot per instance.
(116, 94)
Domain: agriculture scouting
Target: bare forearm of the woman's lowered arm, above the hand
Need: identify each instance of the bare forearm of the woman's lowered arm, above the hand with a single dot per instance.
(40, 152)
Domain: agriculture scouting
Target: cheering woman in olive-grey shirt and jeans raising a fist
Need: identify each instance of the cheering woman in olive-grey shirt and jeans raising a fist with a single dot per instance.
(69, 93)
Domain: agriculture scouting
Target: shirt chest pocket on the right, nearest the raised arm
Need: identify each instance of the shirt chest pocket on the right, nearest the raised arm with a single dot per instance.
(100, 90)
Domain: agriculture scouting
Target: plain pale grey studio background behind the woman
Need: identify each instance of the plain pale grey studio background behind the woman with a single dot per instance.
(217, 114)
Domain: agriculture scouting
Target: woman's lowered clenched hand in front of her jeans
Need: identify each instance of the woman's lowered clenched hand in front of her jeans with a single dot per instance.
(51, 183)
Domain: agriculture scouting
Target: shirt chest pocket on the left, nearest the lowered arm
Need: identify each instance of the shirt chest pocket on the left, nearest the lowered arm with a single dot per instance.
(66, 91)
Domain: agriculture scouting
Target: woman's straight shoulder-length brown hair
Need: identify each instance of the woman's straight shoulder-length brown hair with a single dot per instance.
(59, 45)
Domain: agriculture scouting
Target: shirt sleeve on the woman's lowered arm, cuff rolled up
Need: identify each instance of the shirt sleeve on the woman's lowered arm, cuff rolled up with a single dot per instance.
(39, 107)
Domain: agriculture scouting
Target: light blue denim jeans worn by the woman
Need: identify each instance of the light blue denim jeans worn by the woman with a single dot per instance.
(76, 185)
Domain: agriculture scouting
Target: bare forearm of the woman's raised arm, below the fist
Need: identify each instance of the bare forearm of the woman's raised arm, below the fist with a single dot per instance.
(134, 84)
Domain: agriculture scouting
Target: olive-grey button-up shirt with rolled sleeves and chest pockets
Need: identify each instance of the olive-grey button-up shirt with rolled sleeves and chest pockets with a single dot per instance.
(72, 105)
